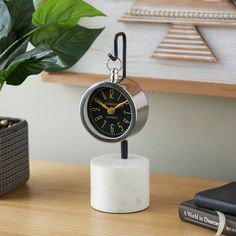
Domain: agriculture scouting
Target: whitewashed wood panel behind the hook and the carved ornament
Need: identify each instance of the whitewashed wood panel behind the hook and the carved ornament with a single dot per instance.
(143, 39)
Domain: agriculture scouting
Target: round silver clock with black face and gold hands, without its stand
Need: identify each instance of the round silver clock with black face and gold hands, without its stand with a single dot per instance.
(113, 110)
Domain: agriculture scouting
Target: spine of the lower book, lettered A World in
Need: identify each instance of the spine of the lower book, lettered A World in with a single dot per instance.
(205, 219)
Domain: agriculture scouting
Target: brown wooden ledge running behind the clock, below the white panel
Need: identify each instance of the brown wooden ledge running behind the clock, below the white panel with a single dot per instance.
(148, 84)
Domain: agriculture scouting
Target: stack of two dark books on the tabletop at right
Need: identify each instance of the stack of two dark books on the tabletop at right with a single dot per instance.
(202, 210)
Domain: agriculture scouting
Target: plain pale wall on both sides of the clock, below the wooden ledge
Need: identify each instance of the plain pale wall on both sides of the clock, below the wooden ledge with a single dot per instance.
(184, 135)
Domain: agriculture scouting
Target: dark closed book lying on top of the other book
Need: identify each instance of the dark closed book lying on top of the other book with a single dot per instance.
(222, 198)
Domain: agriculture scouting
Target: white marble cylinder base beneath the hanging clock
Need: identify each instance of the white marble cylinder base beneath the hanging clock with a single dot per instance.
(120, 185)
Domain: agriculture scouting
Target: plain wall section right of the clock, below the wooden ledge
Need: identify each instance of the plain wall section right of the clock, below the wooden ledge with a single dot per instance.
(190, 135)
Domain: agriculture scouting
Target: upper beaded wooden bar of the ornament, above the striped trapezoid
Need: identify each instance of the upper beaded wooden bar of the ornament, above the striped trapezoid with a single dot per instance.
(197, 12)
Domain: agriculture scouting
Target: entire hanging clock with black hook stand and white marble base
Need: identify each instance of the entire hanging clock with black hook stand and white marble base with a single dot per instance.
(112, 111)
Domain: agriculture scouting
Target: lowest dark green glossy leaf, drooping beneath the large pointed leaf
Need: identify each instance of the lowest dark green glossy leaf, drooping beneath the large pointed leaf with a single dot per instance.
(30, 63)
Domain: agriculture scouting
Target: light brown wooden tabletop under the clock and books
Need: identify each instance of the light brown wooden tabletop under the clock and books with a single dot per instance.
(55, 201)
